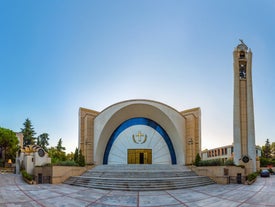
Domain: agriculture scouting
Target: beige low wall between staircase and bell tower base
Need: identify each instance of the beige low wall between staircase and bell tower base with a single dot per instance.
(222, 174)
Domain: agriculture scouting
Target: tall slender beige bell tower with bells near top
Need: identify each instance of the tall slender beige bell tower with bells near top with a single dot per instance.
(244, 130)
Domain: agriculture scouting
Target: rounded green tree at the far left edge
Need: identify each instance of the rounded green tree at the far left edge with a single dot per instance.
(8, 143)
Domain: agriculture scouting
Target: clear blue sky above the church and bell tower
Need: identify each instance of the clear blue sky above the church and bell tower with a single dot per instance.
(57, 56)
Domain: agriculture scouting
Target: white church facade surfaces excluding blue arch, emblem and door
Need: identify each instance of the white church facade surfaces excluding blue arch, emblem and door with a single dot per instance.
(107, 122)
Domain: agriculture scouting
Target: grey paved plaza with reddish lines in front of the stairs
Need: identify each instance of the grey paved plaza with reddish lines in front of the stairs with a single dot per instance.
(14, 193)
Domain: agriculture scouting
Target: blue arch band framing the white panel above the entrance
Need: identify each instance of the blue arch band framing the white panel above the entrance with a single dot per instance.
(140, 121)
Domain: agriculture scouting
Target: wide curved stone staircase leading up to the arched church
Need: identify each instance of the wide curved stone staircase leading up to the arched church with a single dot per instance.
(139, 177)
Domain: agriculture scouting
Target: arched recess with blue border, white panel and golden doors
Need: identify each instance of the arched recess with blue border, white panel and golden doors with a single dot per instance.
(139, 140)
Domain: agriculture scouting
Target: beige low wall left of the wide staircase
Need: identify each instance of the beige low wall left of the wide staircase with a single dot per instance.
(57, 174)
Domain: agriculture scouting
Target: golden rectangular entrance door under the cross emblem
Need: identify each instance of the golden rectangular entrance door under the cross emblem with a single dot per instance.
(139, 156)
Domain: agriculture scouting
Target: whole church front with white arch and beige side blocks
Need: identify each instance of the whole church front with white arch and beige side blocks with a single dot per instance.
(139, 132)
